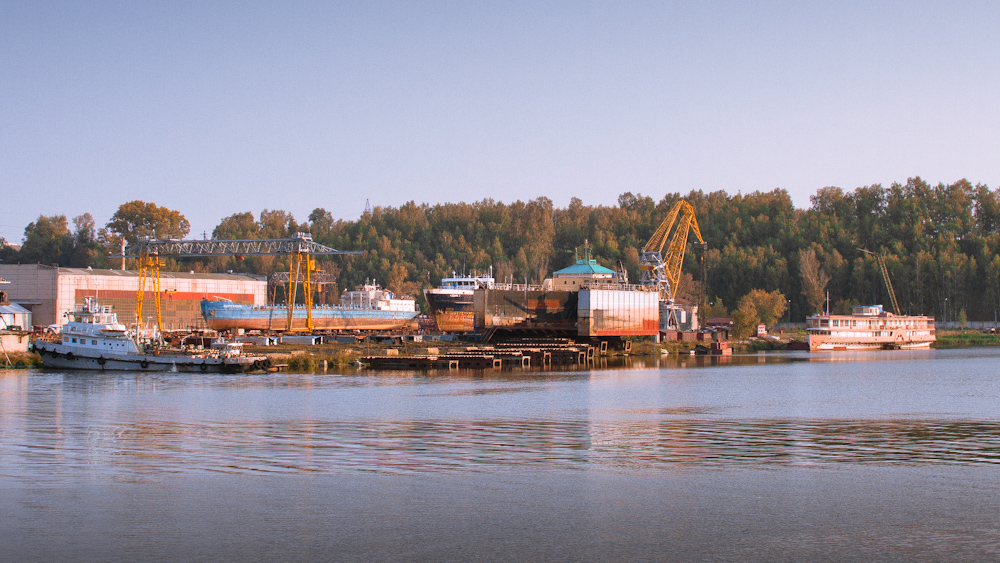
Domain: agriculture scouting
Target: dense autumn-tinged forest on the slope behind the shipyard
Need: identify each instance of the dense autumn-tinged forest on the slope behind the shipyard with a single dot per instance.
(940, 244)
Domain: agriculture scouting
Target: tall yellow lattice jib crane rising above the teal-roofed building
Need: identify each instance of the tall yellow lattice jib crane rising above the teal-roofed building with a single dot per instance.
(661, 270)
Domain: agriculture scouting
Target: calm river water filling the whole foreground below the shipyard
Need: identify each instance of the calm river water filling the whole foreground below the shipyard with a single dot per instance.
(786, 456)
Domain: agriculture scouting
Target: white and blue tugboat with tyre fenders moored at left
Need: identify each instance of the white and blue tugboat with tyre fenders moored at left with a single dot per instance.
(94, 339)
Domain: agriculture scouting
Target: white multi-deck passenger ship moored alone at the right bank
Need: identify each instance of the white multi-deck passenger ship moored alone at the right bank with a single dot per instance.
(869, 327)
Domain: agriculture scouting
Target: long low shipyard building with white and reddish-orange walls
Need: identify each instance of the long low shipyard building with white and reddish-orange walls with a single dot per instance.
(49, 292)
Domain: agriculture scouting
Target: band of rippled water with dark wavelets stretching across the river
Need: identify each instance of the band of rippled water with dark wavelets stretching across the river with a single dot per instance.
(441, 445)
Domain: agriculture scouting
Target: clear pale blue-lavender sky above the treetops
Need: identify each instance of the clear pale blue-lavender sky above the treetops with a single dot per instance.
(214, 108)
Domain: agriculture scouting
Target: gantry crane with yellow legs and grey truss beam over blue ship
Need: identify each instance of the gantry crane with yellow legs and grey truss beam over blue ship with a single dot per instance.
(299, 248)
